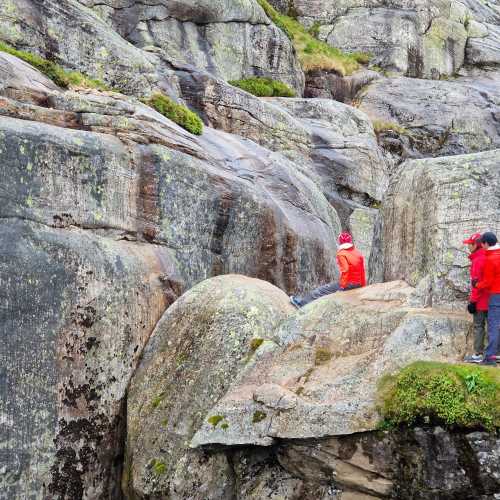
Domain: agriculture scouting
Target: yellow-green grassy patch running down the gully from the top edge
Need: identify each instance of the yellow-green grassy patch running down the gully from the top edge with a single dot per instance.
(314, 54)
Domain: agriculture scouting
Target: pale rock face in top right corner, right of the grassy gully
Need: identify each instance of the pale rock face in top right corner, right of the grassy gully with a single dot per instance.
(426, 39)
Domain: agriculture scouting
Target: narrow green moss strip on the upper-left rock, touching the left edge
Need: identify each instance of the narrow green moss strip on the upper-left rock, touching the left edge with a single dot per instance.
(61, 77)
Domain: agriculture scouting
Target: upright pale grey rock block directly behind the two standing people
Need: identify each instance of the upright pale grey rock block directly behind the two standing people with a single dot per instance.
(430, 208)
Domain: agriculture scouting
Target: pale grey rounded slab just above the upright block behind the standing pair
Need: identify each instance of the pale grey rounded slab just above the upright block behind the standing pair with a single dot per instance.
(440, 117)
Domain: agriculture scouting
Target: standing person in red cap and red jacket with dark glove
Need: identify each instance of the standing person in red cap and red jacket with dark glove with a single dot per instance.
(478, 299)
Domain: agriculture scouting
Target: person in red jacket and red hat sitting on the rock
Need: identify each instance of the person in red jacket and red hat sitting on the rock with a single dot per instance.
(352, 273)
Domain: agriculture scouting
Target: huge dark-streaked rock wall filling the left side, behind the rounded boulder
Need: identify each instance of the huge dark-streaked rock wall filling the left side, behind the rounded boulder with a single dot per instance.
(109, 210)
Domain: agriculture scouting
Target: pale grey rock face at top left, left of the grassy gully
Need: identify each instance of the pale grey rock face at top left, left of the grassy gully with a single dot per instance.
(134, 46)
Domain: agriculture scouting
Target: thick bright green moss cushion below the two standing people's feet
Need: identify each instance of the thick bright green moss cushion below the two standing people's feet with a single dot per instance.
(442, 394)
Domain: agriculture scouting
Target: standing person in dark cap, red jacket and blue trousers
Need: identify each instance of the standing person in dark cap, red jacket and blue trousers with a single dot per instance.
(491, 283)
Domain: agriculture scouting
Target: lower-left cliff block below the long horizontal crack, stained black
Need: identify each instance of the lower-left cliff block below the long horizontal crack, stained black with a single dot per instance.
(77, 310)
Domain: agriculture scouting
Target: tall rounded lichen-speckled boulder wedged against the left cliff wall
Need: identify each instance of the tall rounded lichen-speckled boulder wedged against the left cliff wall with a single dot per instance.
(198, 348)
